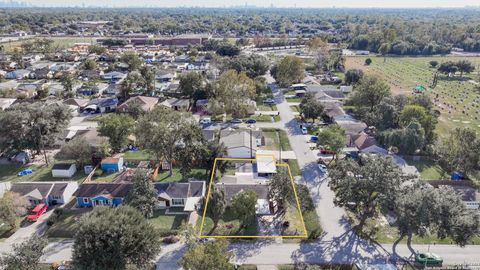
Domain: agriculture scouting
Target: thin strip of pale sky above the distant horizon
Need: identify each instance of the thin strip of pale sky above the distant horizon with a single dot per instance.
(261, 3)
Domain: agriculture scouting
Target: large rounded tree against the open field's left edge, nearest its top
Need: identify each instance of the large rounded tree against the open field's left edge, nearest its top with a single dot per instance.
(369, 92)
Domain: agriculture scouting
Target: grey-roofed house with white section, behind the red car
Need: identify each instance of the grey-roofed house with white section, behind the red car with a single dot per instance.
(45, 192)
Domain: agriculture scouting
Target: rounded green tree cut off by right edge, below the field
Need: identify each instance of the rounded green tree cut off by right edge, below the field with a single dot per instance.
(459, 151)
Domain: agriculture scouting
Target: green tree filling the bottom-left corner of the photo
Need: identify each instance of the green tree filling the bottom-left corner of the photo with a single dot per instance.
(26, 255)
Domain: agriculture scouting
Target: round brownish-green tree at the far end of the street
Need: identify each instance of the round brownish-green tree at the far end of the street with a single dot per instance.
(289, 70)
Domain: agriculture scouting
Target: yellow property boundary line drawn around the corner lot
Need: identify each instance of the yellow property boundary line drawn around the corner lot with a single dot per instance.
(251, 236)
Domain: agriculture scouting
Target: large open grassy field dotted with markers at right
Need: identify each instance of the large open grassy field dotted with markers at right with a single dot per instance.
(457, 99)
